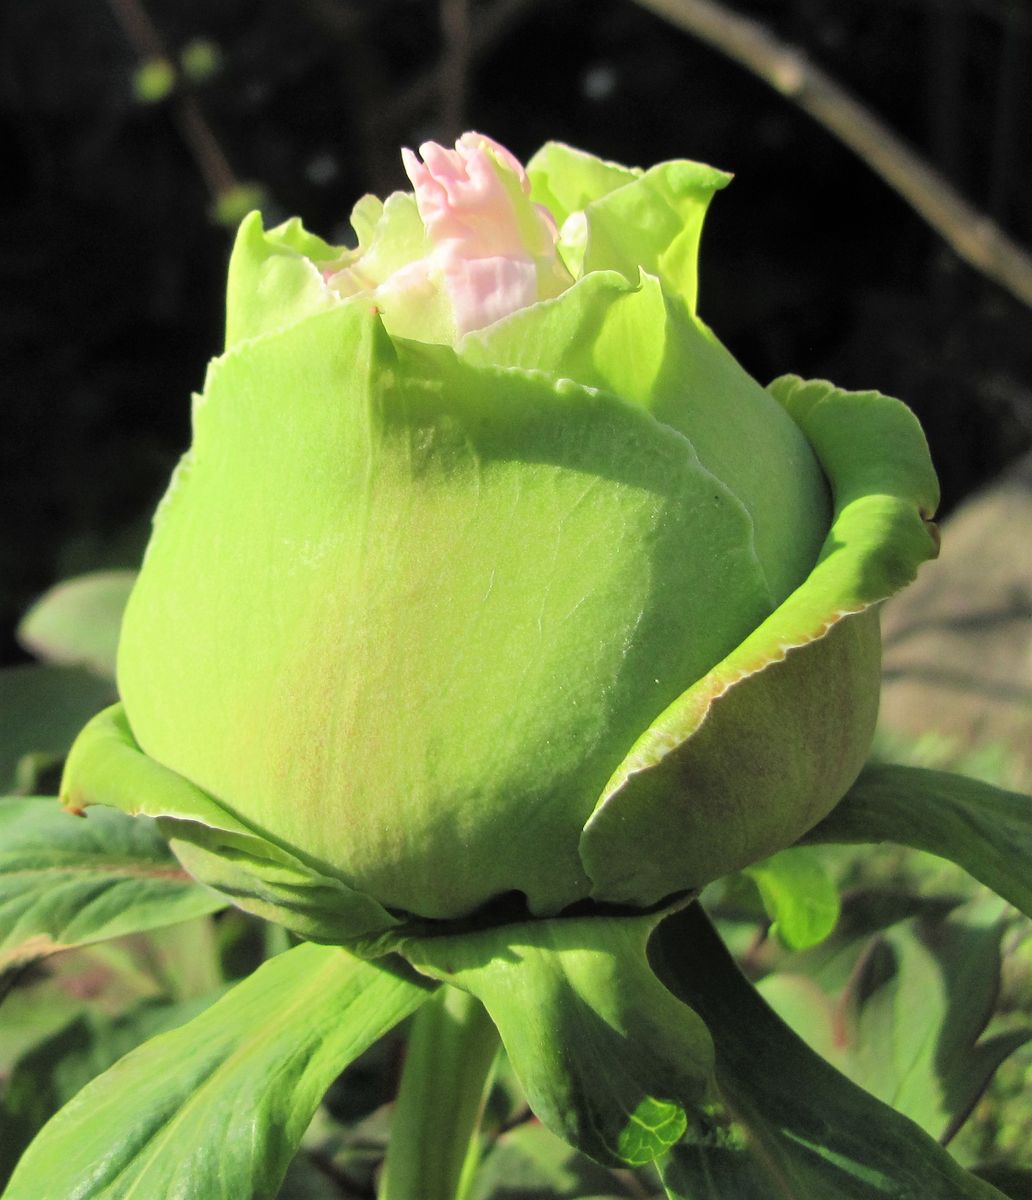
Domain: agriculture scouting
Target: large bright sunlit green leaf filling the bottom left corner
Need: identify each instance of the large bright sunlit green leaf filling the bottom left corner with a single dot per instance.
(218, 1108)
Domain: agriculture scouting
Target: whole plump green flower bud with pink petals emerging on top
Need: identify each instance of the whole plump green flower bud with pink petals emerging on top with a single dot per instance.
(490, 571)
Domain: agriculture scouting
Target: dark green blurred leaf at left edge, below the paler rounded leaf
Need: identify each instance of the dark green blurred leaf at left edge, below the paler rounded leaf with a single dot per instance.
(43, 709)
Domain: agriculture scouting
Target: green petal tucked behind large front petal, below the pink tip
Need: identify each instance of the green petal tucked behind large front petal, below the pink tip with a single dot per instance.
(637, 343)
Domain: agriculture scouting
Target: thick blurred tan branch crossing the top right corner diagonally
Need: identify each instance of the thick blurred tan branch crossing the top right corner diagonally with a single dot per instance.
(973, 236)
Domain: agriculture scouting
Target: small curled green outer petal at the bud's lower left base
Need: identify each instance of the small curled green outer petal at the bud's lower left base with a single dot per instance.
(107, 767)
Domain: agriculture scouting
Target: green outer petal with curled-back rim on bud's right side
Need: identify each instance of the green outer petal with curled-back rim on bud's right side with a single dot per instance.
(765, 745)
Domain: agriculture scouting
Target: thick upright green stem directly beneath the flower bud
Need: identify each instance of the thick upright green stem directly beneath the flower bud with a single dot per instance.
(434, 1144)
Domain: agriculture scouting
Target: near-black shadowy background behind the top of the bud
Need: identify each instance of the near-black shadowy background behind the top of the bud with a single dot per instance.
(112, 262)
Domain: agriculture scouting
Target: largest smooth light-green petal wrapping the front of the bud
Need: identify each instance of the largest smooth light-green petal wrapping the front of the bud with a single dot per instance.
(407, 615)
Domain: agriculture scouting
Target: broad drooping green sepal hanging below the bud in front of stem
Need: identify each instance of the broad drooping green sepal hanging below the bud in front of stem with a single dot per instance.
(610, 1060)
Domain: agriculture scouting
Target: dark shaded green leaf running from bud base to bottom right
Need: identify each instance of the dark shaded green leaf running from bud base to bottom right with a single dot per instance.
(801, 1131)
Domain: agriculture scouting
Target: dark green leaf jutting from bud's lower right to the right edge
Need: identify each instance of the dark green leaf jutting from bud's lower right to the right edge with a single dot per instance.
(982, 829)
